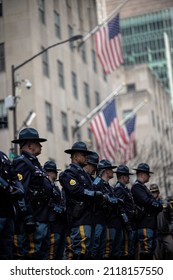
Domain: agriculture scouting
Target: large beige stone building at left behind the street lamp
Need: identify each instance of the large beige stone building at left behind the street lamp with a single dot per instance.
(67, 82)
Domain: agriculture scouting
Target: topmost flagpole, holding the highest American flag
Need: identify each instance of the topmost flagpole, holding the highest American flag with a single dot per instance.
(87, 36)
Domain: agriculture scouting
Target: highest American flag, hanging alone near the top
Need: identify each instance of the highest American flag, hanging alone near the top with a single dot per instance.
(108, 45)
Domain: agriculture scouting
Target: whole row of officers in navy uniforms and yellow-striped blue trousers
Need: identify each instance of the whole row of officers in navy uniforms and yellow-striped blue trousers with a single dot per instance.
(85, 217)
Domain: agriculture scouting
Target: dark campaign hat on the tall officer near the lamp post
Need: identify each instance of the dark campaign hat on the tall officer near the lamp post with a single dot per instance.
(28, 134)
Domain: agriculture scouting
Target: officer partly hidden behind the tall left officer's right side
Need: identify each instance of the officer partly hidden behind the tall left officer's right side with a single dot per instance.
(56, 240)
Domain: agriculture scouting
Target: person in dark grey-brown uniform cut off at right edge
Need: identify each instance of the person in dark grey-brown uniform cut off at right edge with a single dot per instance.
(164, 240)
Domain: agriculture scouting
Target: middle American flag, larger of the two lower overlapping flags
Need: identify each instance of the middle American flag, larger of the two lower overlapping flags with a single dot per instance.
(109, 135)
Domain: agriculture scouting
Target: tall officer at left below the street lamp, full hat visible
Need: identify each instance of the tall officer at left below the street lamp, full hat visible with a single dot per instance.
(32, 225)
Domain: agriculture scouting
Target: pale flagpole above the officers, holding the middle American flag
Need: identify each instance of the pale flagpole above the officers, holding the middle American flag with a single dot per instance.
(99, 107)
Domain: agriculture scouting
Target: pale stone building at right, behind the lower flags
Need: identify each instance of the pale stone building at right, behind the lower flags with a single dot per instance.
(144, 94)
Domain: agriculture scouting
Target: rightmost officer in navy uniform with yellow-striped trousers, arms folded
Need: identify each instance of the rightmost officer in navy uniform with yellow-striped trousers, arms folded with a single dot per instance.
(149, 208)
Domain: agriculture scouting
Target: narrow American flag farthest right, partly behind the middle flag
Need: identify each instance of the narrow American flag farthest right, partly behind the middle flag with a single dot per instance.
(129, 128)
